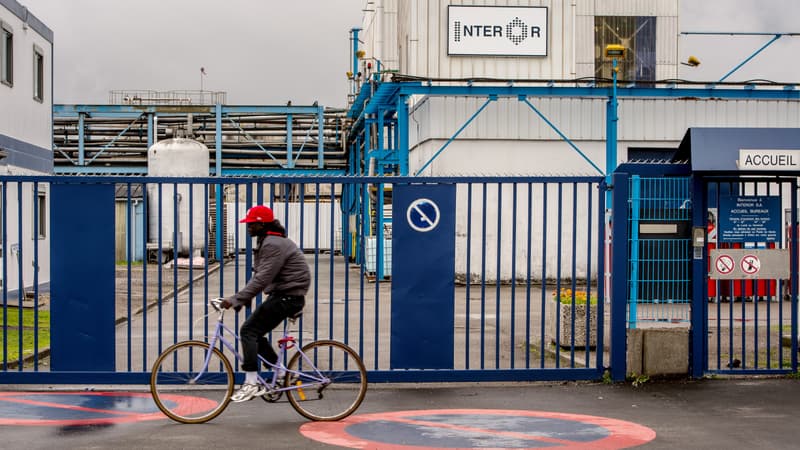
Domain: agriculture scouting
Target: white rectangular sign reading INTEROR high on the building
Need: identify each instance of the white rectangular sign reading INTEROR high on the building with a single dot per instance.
(497, 31)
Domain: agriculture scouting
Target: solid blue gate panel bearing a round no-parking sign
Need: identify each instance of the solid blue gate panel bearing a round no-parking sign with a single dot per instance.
(423, 282)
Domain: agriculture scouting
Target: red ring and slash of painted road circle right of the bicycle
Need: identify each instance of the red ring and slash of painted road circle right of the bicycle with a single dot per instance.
(620, 434)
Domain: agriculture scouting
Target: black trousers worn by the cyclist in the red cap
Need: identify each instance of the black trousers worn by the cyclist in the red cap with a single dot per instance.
(274, 310)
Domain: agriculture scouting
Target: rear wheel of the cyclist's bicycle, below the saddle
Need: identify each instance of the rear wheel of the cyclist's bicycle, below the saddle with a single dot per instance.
(332, 383)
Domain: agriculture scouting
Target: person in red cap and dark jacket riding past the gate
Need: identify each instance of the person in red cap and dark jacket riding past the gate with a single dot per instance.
(280, 271)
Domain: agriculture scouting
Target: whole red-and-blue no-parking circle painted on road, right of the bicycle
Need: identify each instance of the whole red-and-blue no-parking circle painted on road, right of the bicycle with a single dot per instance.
(478, 428)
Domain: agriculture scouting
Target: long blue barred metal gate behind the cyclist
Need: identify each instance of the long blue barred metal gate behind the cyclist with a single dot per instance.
(527, 297)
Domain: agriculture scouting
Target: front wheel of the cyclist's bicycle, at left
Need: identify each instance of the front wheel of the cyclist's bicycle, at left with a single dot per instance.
(185, 388)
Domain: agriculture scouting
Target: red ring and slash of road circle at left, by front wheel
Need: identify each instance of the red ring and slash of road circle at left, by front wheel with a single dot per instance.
(186, 404)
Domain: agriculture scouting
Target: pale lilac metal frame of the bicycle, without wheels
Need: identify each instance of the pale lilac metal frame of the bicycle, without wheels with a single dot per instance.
(313, 376)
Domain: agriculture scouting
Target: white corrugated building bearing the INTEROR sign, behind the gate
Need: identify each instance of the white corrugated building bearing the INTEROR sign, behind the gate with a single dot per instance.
(528, 42)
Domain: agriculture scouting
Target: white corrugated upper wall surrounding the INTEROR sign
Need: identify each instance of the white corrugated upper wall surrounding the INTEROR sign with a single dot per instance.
(411, 37)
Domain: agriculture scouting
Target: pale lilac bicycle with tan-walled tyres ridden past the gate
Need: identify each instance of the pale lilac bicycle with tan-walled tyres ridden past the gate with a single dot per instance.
(319, 375)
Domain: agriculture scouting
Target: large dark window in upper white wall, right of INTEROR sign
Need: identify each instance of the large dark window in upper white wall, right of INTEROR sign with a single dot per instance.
(638, 36)
